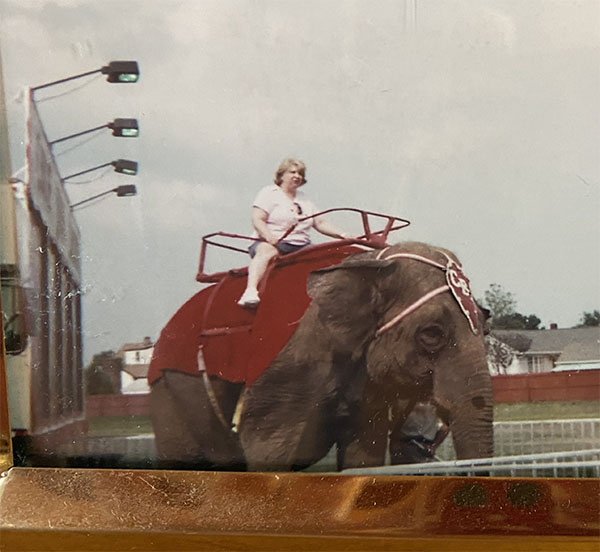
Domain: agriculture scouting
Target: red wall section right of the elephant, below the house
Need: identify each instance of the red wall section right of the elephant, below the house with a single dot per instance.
(581, 385)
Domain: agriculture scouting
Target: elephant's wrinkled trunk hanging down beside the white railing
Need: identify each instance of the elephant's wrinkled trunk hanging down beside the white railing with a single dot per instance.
(469, 414)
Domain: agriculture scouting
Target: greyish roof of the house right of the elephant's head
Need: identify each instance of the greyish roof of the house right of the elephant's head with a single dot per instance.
(577, 343)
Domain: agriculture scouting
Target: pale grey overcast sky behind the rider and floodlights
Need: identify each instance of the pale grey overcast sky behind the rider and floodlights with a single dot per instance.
(476, 120)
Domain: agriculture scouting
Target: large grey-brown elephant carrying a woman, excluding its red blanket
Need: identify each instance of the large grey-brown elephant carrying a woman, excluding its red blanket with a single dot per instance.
(384, 328)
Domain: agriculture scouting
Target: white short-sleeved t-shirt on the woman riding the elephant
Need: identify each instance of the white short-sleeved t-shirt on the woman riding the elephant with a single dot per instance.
(283, 212)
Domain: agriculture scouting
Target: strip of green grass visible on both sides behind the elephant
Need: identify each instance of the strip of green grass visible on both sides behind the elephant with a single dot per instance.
(124, 426)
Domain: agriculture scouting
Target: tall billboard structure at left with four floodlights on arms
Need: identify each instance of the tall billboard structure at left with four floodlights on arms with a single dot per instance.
(49, 228)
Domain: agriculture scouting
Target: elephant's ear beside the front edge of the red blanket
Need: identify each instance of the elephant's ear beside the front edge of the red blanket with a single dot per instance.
(348, 298)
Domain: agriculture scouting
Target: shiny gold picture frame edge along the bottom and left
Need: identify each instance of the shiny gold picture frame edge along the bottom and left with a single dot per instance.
(125, 509)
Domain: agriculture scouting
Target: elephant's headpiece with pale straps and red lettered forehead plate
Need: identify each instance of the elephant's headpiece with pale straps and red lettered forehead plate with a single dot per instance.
(456, 282)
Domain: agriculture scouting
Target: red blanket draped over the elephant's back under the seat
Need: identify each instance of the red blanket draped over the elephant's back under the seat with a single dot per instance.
(238, 344)
